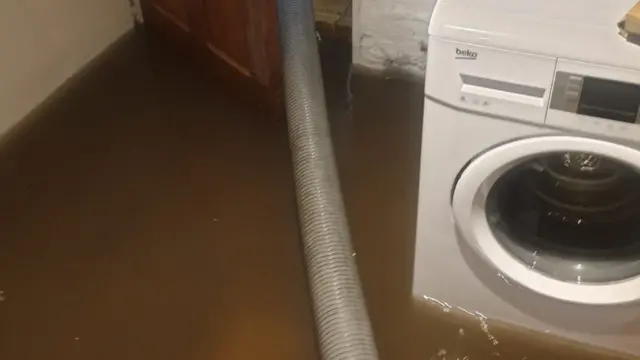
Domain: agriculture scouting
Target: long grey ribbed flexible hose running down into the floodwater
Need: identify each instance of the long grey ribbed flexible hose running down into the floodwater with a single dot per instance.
(342, 324)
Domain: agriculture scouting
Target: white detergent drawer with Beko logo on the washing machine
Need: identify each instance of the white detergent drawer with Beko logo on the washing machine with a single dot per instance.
(489, 80)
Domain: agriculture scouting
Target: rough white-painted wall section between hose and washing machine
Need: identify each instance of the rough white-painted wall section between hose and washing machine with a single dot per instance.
(391, 35)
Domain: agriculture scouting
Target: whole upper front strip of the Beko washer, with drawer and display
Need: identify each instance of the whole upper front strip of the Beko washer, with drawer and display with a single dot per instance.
(561, 93)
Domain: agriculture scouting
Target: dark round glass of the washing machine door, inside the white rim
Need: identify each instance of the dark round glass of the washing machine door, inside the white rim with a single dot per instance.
(572, 216)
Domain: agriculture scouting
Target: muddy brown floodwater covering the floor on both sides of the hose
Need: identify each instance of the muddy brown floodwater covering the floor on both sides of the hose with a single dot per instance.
(146, 215)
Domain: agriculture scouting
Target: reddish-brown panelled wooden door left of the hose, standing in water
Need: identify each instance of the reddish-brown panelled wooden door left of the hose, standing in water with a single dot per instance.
(235, 40)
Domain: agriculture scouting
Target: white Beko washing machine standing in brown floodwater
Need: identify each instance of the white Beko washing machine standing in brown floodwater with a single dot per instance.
(529, 208)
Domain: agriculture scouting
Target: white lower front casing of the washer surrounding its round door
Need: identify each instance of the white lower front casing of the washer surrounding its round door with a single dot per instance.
(448, 270)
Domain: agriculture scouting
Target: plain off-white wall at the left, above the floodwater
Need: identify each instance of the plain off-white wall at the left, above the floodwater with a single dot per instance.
(44, 42)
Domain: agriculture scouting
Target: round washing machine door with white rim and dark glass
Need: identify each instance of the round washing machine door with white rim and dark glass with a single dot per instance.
(559, 215)
